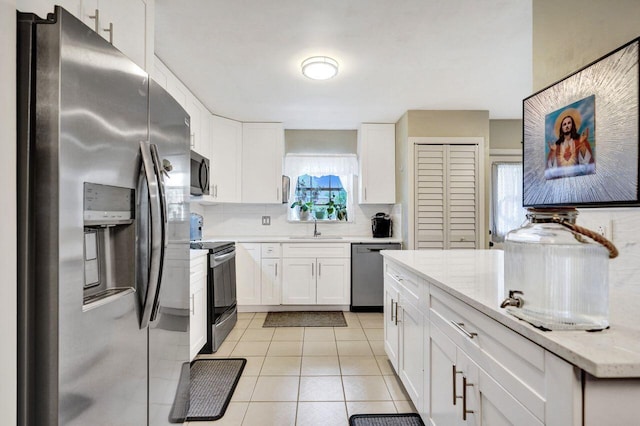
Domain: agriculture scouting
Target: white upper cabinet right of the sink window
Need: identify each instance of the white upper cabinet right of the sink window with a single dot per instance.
(376, 158)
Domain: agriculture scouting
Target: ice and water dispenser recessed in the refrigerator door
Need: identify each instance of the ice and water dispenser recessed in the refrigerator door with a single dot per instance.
(109, 243)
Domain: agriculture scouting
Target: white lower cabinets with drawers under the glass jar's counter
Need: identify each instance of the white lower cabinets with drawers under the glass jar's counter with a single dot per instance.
(461, 367)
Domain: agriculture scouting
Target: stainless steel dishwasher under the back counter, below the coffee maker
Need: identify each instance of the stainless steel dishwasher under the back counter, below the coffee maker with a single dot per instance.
(367, 279)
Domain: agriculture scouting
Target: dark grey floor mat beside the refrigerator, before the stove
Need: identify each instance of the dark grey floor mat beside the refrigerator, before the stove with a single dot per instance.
(212, 384)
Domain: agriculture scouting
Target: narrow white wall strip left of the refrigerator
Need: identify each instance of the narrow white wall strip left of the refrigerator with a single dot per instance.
(8, 302)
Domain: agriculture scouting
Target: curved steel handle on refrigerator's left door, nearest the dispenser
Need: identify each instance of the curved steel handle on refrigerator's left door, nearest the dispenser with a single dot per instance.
(156, 243)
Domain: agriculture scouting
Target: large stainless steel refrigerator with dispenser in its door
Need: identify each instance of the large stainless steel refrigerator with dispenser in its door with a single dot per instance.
(103, 172)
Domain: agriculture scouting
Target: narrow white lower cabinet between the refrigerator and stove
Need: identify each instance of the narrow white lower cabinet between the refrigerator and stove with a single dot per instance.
(197, 305)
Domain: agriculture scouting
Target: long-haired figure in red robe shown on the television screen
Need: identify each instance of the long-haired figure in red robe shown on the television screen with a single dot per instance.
(570, 154)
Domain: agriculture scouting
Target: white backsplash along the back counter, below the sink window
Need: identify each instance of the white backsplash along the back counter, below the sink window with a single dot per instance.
(241, 220)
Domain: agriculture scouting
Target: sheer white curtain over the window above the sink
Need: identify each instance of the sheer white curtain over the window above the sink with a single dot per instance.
(345, 166)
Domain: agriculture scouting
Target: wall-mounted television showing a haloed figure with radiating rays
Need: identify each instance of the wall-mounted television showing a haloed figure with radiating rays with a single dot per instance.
(580, 136)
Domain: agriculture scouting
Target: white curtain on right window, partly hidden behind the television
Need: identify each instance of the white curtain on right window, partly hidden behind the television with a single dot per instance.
(507, 212)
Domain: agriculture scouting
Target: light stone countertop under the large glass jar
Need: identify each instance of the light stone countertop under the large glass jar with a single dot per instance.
(476, 278)
